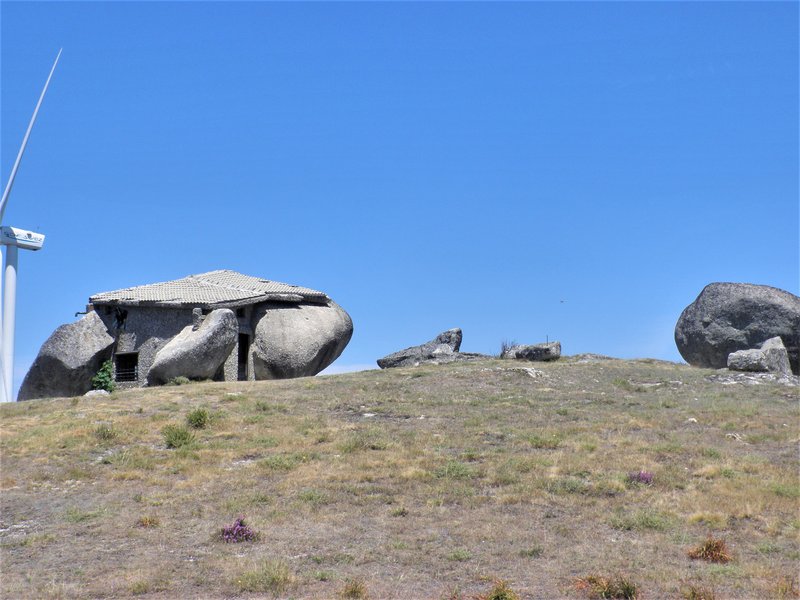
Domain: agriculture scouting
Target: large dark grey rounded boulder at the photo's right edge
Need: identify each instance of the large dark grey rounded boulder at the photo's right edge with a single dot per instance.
(727, 317)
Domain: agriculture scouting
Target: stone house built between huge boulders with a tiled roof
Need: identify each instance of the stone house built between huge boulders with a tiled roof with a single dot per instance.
(219, 325)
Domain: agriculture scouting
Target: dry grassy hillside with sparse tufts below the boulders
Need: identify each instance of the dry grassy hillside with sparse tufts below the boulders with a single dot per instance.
(433, 482)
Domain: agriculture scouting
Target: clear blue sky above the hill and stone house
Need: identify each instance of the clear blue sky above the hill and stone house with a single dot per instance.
(427, 165)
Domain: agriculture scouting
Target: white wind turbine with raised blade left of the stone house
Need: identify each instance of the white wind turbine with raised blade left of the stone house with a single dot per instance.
(13, 239)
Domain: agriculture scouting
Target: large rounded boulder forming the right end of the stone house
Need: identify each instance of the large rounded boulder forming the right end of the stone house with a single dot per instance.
(298, 340)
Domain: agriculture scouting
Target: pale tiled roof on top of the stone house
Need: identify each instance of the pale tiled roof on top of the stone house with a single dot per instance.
(212, 288)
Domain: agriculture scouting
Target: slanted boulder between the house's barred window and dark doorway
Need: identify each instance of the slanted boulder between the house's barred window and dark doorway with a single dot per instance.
(198, 351)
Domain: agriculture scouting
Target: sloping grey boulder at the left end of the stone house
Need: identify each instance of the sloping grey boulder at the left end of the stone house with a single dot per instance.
(68, 360)
